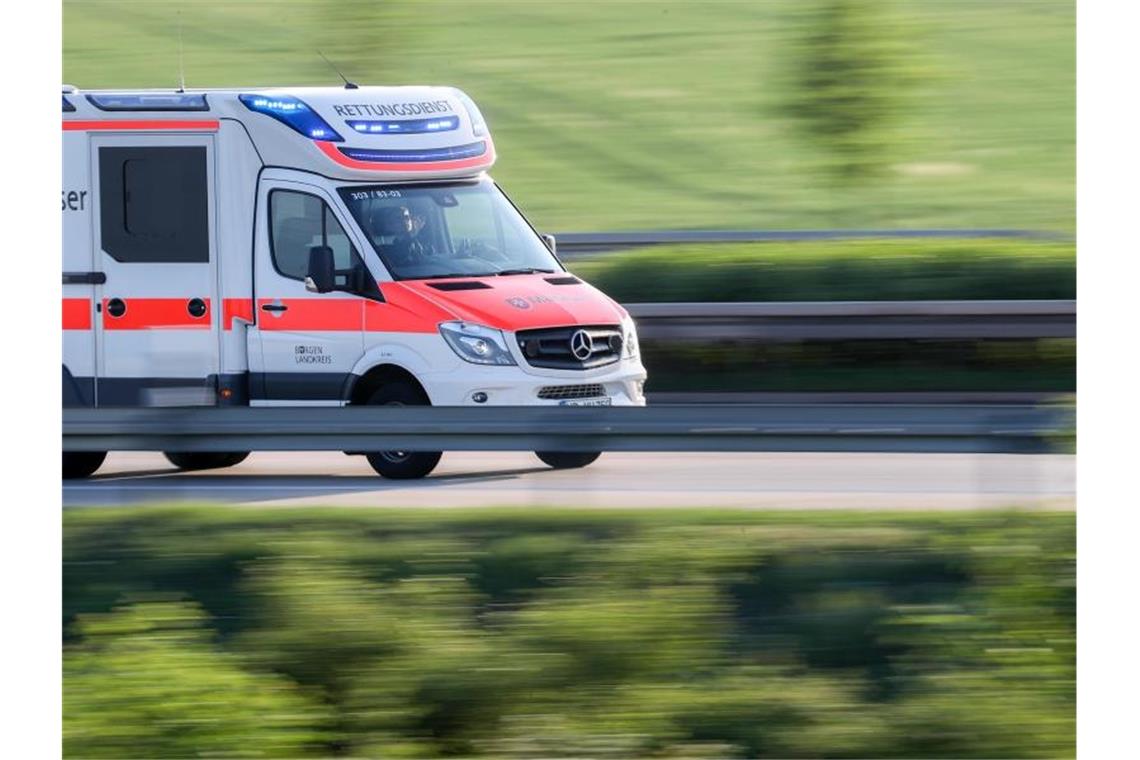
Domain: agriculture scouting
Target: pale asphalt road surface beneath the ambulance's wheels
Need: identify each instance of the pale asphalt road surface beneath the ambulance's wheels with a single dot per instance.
(794, 481)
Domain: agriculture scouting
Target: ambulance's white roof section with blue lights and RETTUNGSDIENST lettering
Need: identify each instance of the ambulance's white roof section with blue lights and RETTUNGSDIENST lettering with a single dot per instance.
(379, 134)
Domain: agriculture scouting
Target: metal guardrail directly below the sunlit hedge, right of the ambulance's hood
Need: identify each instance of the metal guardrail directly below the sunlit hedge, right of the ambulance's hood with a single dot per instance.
(856, 321)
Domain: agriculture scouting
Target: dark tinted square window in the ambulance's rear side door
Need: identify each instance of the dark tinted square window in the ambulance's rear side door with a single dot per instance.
(153, 205)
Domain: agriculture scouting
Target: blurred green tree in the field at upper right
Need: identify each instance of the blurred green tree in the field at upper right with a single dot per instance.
(851, 73)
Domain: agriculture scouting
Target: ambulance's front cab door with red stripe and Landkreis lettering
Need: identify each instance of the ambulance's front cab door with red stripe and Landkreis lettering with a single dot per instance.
(310, 342)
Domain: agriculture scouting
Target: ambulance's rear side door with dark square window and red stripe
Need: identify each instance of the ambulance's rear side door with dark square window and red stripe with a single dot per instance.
(157, 310)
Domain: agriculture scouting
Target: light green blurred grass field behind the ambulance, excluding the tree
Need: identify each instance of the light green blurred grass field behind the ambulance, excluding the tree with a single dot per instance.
(655, 115)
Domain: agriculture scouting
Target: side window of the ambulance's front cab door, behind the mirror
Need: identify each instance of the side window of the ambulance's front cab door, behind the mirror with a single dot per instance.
(299, 222)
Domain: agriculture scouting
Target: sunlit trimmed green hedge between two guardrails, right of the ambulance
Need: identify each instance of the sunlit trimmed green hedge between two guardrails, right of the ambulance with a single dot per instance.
(838, 271)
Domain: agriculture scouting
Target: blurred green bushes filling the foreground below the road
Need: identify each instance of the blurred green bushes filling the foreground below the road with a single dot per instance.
(477, 633)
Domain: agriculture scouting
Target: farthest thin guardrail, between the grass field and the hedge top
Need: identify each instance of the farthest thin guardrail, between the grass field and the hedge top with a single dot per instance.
(579, 244)
